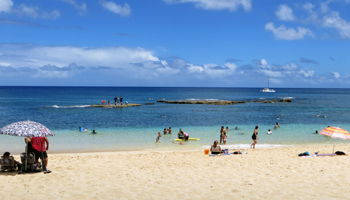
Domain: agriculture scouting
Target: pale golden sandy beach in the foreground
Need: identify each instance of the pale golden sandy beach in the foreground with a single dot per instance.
(260, 174)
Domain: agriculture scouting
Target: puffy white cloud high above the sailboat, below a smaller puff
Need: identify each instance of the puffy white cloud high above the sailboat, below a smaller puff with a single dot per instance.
(288, 34)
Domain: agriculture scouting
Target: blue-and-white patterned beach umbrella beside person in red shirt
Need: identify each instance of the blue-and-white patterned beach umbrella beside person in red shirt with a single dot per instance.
(27, 129)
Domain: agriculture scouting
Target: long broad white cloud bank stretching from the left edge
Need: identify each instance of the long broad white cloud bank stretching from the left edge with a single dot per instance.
(33, 56)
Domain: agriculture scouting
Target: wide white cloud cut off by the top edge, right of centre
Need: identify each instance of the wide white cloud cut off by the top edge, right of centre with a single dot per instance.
(230, 5)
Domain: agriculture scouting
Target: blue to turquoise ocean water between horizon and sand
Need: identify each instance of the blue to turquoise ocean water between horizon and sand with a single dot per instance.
(63, 110)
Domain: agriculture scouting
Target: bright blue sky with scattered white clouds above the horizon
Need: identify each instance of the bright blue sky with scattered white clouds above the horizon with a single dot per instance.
(200, 43)
